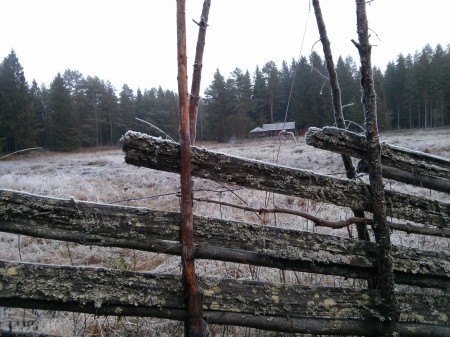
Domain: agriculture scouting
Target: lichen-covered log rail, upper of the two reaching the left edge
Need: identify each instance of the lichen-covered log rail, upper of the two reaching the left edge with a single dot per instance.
(158, 231)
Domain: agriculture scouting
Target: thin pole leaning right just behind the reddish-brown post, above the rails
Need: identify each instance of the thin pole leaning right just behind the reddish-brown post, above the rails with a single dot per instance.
(194, 97)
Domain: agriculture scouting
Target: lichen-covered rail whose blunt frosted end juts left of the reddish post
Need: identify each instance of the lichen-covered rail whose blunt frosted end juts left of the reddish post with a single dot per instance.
(146, 151)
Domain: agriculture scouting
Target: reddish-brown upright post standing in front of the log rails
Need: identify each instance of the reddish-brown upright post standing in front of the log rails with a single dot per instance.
(195, 326)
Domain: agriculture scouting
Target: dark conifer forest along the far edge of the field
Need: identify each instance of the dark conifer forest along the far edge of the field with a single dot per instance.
(77, 111)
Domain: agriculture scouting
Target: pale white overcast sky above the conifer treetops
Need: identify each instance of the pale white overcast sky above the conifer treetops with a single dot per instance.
(134, 41)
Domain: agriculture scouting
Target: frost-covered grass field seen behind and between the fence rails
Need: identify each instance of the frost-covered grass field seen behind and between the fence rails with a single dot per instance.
(103, 176)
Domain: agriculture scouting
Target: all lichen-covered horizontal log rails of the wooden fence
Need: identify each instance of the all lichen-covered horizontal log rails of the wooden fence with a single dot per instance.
(423, 277)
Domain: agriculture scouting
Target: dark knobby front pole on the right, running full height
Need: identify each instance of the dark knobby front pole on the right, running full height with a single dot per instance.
(385, 274)
